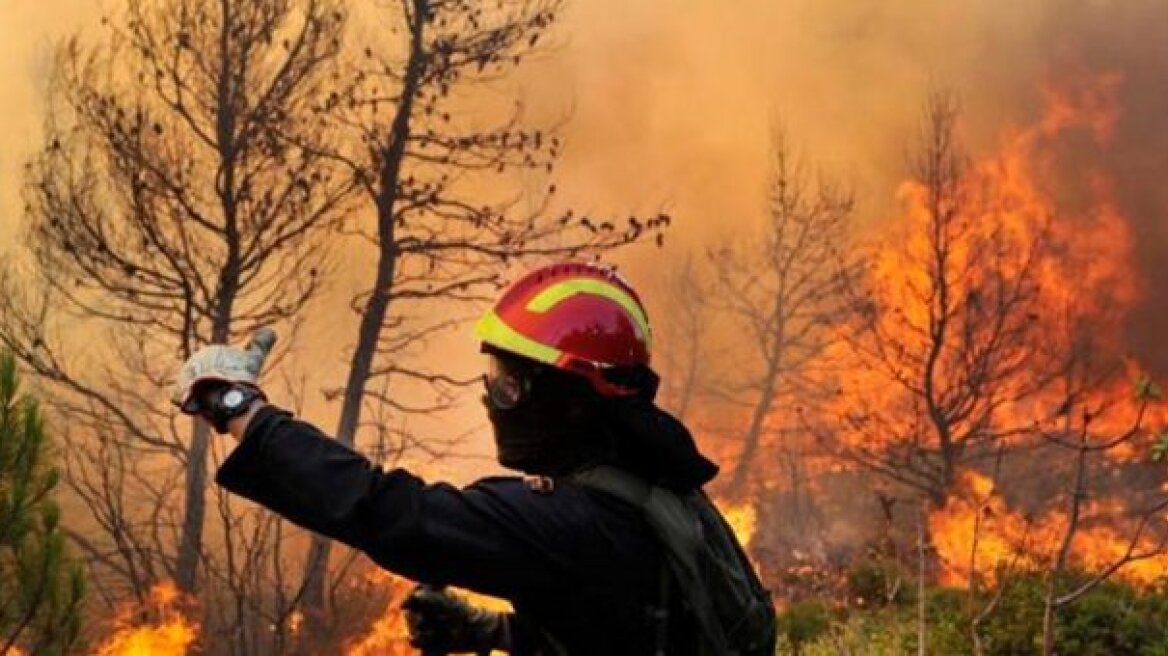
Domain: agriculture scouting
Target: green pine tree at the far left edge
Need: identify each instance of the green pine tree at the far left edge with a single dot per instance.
(41, 591)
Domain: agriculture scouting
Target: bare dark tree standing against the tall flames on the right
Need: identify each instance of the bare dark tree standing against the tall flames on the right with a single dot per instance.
(947, 327)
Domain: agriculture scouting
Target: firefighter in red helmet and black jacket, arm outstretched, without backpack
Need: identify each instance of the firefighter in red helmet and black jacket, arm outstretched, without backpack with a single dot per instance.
(568, 388)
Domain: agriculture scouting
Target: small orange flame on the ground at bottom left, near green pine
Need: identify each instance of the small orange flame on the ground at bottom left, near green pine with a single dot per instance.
(170, 634)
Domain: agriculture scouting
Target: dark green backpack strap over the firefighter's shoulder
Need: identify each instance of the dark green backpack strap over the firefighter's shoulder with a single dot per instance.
(680, 534)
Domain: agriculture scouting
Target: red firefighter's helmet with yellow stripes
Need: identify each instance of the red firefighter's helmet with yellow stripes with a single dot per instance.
(576, 317)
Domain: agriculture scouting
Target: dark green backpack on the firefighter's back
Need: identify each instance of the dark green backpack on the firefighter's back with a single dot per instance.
(719, 585)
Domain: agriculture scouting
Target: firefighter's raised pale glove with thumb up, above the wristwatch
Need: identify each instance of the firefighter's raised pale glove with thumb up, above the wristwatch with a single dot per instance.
(220, 364)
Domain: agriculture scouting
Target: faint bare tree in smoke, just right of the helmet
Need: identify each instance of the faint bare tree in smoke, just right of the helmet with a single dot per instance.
(784, 289)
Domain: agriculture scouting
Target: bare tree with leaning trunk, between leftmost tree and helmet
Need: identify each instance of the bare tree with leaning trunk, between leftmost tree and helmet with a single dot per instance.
(442, 231)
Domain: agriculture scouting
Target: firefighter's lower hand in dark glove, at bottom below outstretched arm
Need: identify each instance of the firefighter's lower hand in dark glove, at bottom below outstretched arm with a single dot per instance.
(441, 622)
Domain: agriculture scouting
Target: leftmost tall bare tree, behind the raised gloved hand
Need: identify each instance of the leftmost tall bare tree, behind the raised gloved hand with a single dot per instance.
(180, 199)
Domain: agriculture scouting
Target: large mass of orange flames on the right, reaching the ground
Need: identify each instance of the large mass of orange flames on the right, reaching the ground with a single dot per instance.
(1030, 219)
